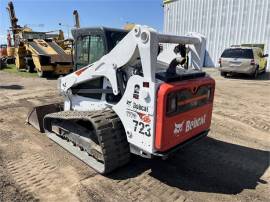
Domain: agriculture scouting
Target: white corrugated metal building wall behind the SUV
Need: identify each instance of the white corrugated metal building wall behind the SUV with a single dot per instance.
(223, 22)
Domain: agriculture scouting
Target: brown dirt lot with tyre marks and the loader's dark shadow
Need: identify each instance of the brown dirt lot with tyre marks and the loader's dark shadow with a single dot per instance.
(231, 164)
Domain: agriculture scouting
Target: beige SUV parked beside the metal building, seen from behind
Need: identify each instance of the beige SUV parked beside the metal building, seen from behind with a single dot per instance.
(244, 60)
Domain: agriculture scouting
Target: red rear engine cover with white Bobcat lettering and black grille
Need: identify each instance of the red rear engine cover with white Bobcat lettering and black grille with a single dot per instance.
(192, 104)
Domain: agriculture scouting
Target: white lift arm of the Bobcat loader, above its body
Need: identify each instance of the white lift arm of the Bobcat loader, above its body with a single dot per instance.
(141, 42)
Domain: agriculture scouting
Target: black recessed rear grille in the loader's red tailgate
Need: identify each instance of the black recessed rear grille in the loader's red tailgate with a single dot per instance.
(187, 100)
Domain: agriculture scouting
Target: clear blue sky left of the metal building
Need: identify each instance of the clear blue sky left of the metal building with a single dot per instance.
(45, 15)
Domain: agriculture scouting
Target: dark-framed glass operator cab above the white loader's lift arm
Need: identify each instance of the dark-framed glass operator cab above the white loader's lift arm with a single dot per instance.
(93, 43)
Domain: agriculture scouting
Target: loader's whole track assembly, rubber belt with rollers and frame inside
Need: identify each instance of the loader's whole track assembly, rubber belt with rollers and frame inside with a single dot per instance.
(97, 138)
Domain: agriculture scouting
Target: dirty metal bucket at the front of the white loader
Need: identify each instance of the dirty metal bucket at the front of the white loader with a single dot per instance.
(37, 114)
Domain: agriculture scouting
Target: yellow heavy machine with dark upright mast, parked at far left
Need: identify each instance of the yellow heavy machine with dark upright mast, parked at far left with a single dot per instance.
(37, 51)
